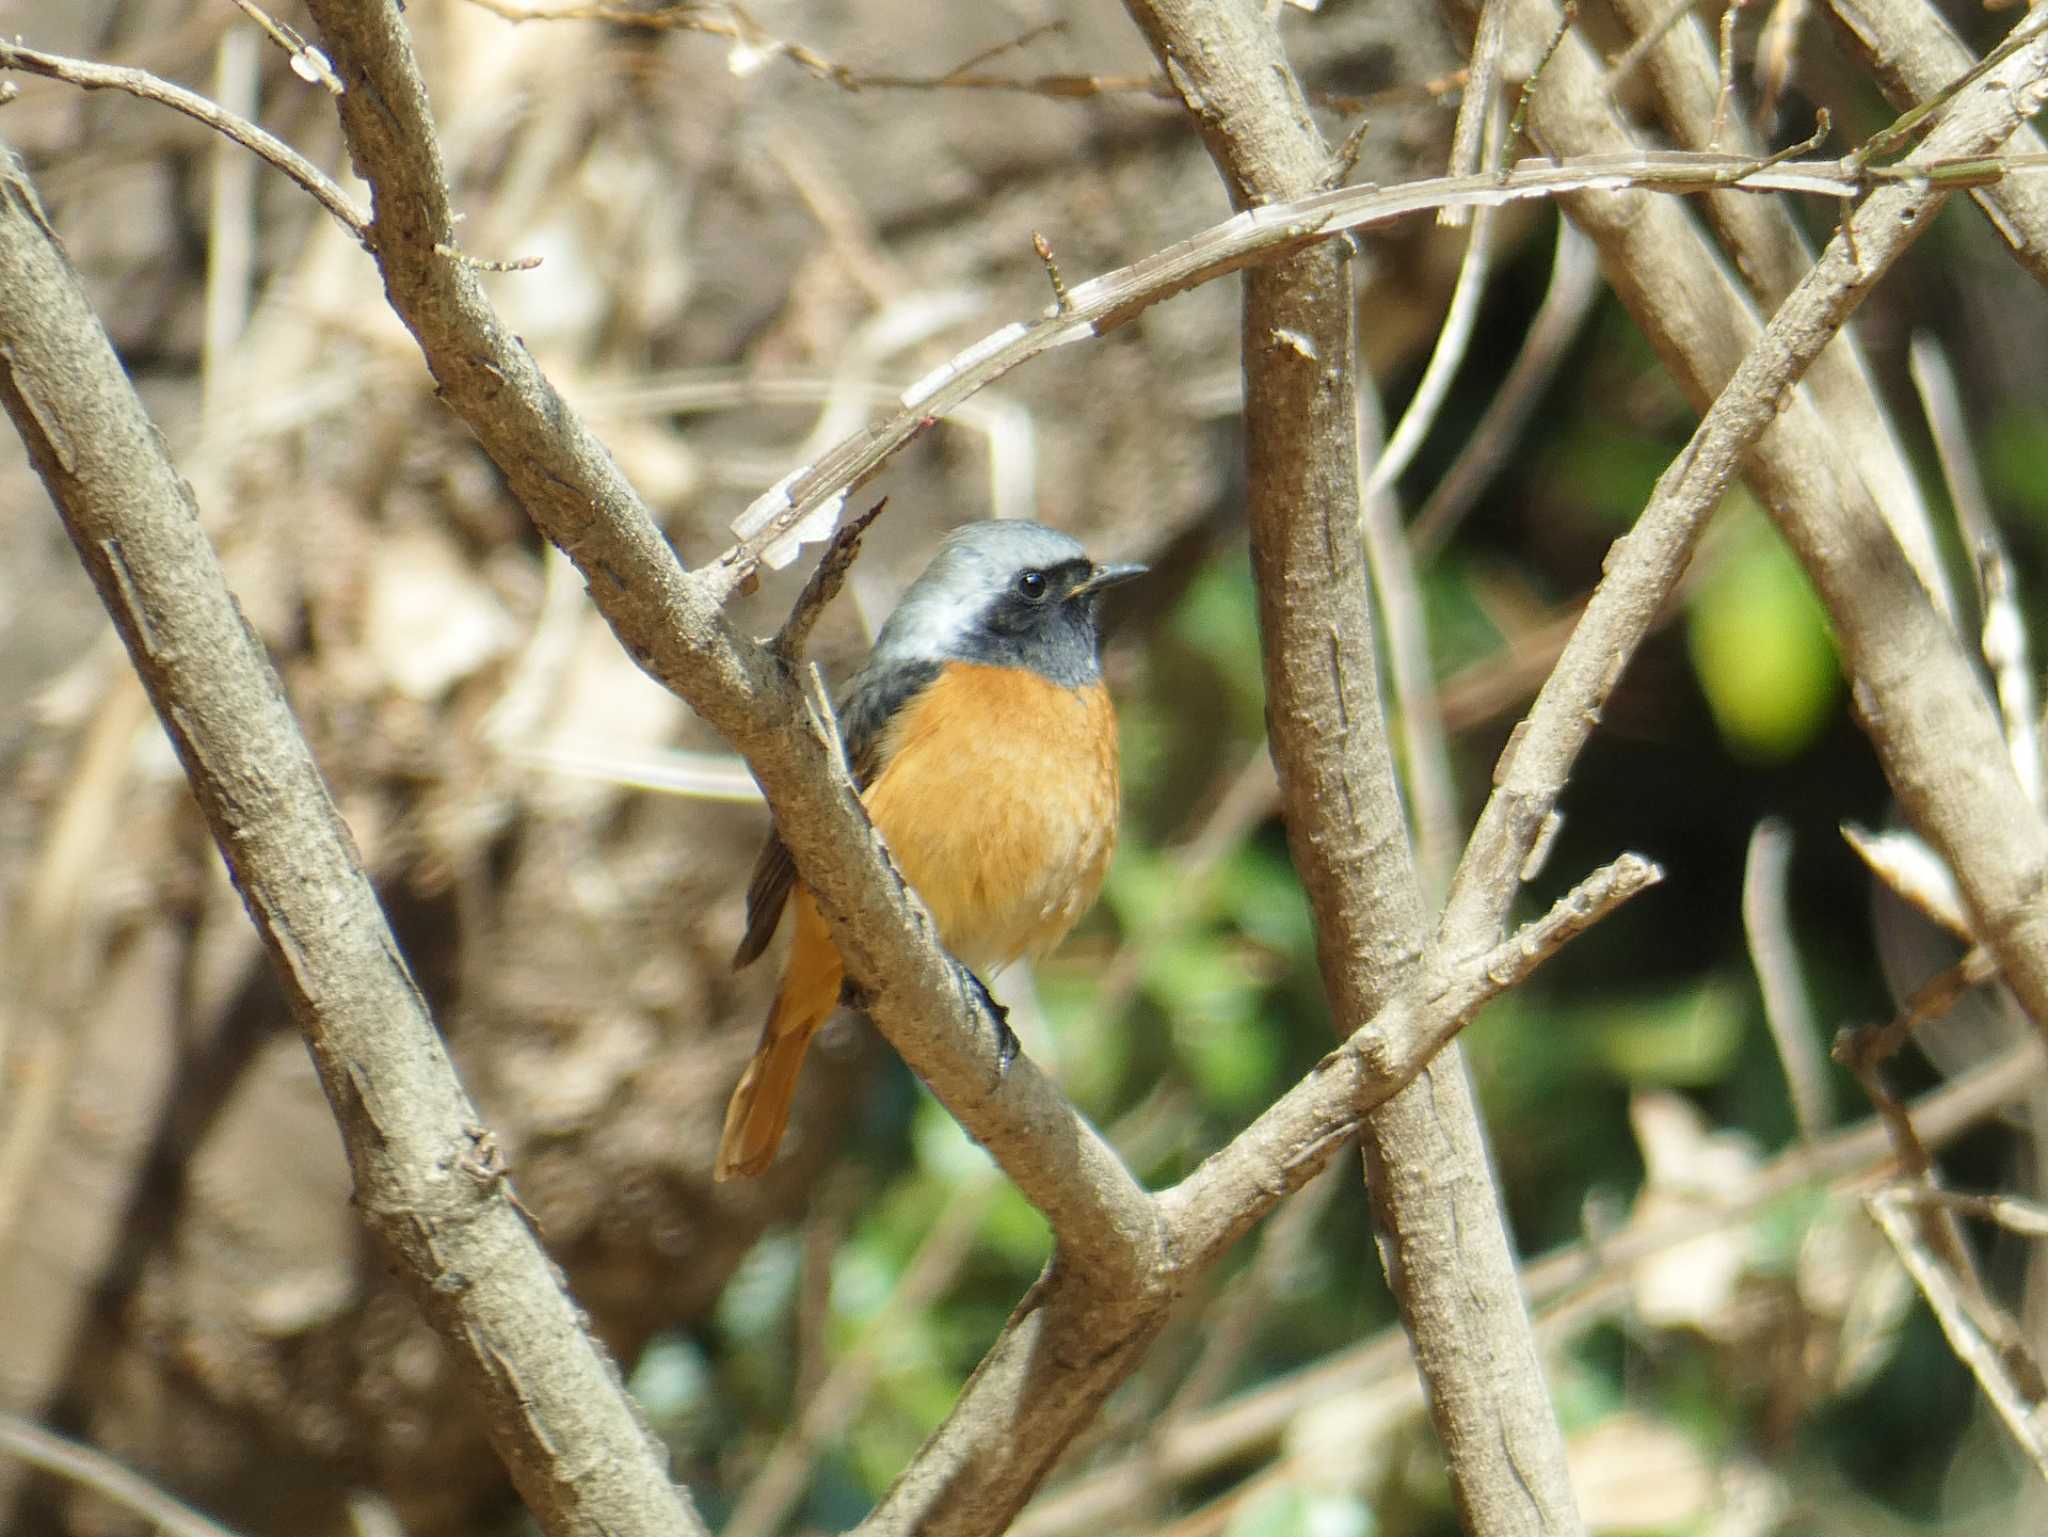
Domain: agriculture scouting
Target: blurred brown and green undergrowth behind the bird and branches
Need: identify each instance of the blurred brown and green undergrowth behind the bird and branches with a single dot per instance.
(755, 231)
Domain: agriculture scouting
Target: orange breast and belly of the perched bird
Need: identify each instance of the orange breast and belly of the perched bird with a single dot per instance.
(998, 796)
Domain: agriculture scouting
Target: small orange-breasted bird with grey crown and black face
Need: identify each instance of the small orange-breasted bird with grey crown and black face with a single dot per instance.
(986, 753)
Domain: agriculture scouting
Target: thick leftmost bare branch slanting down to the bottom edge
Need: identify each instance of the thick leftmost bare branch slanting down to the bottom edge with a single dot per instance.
(423, 1165)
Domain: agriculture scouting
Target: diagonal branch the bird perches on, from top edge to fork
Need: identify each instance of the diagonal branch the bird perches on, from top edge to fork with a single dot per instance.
(673, 624)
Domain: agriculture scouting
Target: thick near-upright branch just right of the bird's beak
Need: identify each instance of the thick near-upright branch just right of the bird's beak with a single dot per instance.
(1445, 1237)
